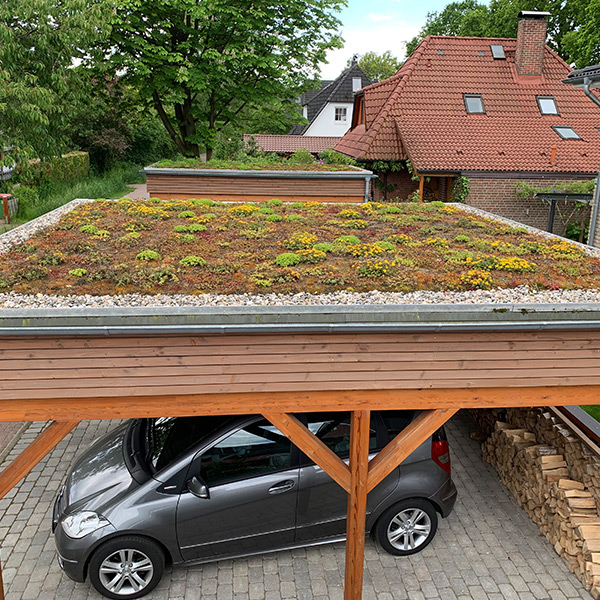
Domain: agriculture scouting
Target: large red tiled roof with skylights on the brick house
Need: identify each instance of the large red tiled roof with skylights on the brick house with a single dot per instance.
(420, 113)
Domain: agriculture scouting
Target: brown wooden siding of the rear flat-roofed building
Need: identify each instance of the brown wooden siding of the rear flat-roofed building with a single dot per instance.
(255, 188)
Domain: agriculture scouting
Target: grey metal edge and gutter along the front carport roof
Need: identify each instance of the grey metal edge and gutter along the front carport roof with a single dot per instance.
(297, 319)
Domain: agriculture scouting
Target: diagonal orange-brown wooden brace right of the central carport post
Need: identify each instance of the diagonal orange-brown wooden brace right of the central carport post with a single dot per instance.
(405, 443)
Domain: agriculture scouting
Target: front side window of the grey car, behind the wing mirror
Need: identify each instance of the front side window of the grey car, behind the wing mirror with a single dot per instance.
(253, 450)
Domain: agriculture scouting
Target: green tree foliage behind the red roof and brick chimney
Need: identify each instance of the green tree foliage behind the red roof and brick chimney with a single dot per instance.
(573, 27)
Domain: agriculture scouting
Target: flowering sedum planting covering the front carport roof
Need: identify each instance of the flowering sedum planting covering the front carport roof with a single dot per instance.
(199, 246)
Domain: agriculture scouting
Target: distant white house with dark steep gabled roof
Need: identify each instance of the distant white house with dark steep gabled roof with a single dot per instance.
(329, 107)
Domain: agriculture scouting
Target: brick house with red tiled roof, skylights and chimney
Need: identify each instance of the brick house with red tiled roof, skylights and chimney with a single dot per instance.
(493, 110)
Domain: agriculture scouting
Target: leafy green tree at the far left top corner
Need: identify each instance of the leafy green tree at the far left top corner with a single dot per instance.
(39, 88)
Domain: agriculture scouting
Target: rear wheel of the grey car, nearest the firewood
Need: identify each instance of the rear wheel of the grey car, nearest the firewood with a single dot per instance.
(407, 527)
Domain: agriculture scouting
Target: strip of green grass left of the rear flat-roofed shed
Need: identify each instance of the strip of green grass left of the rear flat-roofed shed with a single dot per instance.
(112, 184)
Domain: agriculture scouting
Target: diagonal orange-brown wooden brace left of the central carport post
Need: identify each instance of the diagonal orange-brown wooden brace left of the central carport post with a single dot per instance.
(312, 446)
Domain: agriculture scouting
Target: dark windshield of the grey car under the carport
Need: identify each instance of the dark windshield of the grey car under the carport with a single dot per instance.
(167, 438)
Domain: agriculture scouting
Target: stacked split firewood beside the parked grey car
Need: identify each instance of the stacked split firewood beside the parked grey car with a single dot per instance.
(555, 477)
